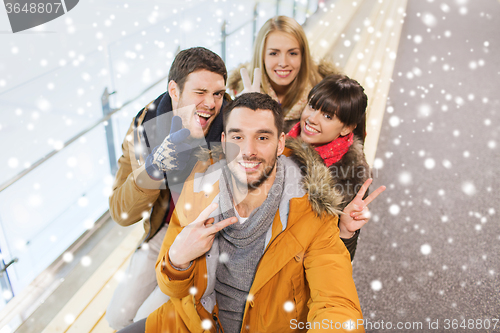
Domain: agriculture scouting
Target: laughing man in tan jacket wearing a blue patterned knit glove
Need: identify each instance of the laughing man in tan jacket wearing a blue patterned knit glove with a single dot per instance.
(157, 157)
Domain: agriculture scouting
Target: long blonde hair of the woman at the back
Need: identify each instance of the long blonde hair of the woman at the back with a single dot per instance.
(308, 72)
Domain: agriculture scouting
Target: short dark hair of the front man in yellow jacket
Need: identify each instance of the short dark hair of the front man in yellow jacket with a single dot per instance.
(255, 101)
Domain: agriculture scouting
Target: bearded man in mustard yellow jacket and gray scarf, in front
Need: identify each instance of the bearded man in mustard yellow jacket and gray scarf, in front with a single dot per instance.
(245, 249)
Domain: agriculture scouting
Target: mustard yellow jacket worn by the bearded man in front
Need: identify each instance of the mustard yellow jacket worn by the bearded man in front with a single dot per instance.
(305, 266)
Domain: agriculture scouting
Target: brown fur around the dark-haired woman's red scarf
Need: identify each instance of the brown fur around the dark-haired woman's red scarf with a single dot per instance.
(344, 178)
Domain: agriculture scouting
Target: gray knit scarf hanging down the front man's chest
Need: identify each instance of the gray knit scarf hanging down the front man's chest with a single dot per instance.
(241, 246)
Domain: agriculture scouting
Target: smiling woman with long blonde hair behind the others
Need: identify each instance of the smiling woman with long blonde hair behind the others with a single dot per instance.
(281, 51)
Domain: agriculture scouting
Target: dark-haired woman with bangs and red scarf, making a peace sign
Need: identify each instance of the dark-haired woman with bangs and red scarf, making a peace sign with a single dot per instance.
(333, 126)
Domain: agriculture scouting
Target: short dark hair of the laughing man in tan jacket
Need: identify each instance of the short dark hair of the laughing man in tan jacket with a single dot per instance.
(192, 60)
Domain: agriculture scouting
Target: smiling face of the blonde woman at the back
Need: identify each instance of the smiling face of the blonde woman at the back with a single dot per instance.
(282, 59)
